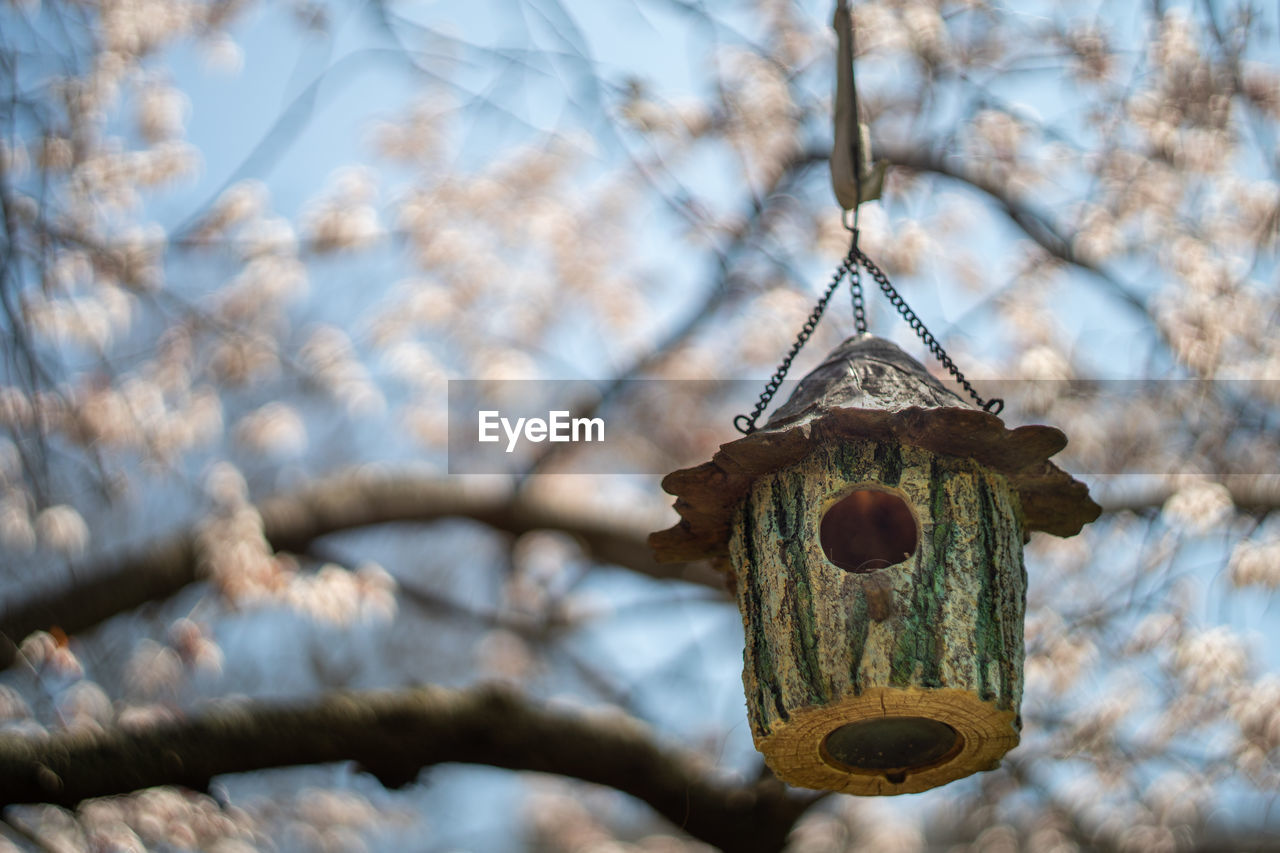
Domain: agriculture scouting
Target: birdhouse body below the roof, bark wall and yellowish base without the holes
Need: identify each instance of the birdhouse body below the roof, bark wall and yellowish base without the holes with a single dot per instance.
(938, 636)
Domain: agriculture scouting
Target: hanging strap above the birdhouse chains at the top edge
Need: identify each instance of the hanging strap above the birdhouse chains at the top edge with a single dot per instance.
(853, 175)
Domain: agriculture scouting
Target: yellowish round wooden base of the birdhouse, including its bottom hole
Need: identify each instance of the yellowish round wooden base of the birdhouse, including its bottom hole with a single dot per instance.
(890, 741)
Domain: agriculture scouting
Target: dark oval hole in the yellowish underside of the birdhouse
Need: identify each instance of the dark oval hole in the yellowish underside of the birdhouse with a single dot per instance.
(892, 746)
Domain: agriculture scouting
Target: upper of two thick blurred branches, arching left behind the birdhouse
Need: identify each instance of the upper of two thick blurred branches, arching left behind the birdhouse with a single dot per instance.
(292, 523)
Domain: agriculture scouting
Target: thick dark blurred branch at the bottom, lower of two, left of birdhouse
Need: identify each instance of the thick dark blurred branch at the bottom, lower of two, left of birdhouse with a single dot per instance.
(394, 737)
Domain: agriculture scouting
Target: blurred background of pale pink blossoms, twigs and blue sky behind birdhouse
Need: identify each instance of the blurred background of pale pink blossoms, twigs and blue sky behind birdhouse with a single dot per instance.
(246, 247)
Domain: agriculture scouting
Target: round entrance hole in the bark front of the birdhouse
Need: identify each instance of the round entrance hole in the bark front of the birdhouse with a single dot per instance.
(868, 530)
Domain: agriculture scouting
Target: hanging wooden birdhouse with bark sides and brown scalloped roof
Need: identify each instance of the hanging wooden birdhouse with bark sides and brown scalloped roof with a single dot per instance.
(875, 533)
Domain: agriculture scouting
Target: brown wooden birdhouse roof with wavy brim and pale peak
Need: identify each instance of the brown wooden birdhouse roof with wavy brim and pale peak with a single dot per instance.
(868, 389)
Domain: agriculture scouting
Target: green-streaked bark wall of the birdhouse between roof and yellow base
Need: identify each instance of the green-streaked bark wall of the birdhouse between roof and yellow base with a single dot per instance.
(957, 606)
